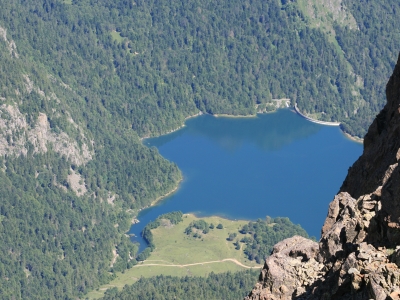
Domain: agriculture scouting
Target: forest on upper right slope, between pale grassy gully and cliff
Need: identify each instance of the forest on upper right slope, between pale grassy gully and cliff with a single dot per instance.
(372, 52)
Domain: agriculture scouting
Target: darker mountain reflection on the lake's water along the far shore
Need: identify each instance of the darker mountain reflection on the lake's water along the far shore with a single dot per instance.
(232, 133)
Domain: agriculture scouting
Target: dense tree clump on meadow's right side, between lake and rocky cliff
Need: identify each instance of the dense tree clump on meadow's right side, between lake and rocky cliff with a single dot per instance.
(265, 234)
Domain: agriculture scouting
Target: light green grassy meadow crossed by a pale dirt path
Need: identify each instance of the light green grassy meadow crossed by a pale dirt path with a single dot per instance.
(174, 247)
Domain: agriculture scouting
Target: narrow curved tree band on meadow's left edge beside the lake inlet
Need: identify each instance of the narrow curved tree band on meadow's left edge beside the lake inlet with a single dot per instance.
(171, 218)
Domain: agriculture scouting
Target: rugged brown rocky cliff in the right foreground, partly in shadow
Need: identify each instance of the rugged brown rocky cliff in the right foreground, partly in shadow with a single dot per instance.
(358, 255)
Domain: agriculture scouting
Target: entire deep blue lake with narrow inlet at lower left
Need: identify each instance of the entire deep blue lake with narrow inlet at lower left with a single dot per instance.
(276, 164)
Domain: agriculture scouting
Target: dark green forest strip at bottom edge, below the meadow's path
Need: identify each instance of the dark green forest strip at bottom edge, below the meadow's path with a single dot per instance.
(214, 286)
